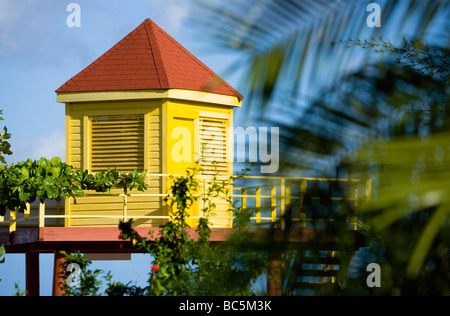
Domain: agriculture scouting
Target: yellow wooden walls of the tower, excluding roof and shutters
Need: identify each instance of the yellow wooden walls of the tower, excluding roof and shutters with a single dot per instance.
(161, 118)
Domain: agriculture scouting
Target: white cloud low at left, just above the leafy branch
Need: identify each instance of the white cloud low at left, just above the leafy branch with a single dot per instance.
(48, 146)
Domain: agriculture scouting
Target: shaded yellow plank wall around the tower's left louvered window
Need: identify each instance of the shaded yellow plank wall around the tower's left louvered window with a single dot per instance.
(77, 117)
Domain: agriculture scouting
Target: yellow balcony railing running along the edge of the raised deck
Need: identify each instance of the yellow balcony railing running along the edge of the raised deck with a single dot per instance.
(268, 197)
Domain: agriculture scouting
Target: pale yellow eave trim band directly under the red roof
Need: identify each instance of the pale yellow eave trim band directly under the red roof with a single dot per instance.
(177, 94)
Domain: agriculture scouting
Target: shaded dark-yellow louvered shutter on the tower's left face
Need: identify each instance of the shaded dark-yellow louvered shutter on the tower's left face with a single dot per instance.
(117, 140)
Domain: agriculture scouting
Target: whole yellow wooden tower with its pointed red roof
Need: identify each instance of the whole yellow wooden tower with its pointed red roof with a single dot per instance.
(146, 104)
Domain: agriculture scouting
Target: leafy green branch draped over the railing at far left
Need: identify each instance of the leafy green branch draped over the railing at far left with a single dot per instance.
(45, 179)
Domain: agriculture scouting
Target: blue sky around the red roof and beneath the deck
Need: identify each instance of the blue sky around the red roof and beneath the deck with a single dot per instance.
(39, 53)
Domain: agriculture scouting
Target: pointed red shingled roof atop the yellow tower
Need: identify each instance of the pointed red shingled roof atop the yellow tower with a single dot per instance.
(148, 59)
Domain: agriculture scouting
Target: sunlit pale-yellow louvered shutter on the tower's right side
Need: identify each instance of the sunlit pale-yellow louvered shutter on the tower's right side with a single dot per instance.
(213, 147)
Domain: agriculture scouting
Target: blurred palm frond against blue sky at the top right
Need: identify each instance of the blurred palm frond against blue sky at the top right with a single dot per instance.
(287, 46)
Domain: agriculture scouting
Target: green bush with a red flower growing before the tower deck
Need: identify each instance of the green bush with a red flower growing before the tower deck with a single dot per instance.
(184, 264)
